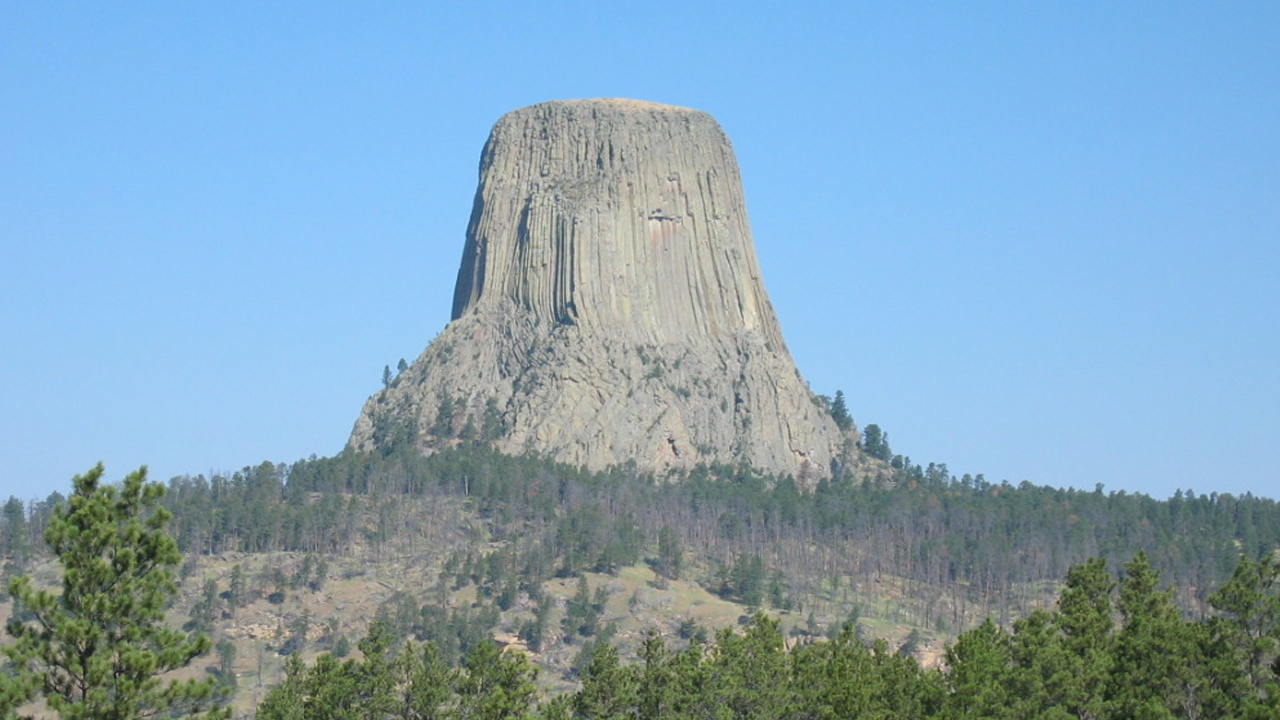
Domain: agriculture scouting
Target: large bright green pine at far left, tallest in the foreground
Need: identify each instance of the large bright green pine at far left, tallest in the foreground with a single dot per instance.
(98, 649)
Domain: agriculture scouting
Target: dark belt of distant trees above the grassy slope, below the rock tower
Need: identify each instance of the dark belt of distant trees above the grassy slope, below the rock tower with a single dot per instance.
(962, 548)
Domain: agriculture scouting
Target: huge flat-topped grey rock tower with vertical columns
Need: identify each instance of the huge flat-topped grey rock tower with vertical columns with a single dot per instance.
(610, 307)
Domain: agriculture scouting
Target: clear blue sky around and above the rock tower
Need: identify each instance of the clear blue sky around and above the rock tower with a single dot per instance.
(1039, 241)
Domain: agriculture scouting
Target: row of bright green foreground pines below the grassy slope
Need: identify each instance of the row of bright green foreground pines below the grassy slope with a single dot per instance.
(1112, 650)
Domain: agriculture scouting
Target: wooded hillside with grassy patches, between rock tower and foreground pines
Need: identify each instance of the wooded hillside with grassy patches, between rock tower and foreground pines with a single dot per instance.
(468, 545)
